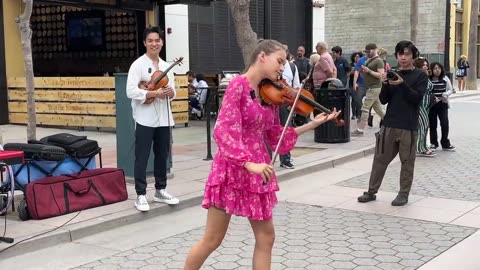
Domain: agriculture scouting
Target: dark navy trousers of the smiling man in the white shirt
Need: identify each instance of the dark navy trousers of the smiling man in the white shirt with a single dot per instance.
(161, 147)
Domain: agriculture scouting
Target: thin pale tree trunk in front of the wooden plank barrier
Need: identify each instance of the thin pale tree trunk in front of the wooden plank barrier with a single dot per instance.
(26, 39)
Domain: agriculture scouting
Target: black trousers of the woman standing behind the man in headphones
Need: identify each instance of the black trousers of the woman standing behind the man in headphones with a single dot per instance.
(440, 111)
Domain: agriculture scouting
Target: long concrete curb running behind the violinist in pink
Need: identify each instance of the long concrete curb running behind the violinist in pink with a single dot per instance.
(70, 233)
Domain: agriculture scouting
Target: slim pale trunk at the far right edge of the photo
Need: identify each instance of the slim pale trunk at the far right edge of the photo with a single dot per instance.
(472, 47)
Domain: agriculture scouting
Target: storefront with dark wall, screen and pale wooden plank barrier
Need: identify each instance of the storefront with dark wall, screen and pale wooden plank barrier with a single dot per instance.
(76, 48)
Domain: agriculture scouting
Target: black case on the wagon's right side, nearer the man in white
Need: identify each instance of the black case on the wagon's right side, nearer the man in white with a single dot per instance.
(75, 146)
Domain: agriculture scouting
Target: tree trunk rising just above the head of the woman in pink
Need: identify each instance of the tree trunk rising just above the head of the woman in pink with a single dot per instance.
(246, 37)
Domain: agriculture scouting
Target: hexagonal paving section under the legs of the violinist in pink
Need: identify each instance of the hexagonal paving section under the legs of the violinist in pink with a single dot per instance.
(326, 238)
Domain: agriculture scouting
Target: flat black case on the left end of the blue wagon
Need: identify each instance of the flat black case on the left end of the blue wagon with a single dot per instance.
(38, 151)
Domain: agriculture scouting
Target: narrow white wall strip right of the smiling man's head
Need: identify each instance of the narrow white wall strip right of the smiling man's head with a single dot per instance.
(176, 18)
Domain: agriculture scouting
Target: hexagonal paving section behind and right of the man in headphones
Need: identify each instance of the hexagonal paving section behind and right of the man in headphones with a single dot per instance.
(449, 175)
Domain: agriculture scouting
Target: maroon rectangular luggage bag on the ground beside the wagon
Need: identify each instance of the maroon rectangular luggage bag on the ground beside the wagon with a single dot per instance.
(59, 195)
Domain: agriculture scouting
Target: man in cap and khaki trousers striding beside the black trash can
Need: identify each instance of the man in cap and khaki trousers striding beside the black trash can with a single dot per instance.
(371, 73)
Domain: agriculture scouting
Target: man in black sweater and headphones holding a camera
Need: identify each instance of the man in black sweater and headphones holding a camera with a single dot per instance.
(403, 90)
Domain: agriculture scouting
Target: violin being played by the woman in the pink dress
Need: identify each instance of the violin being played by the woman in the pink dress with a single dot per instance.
(279, 92)
